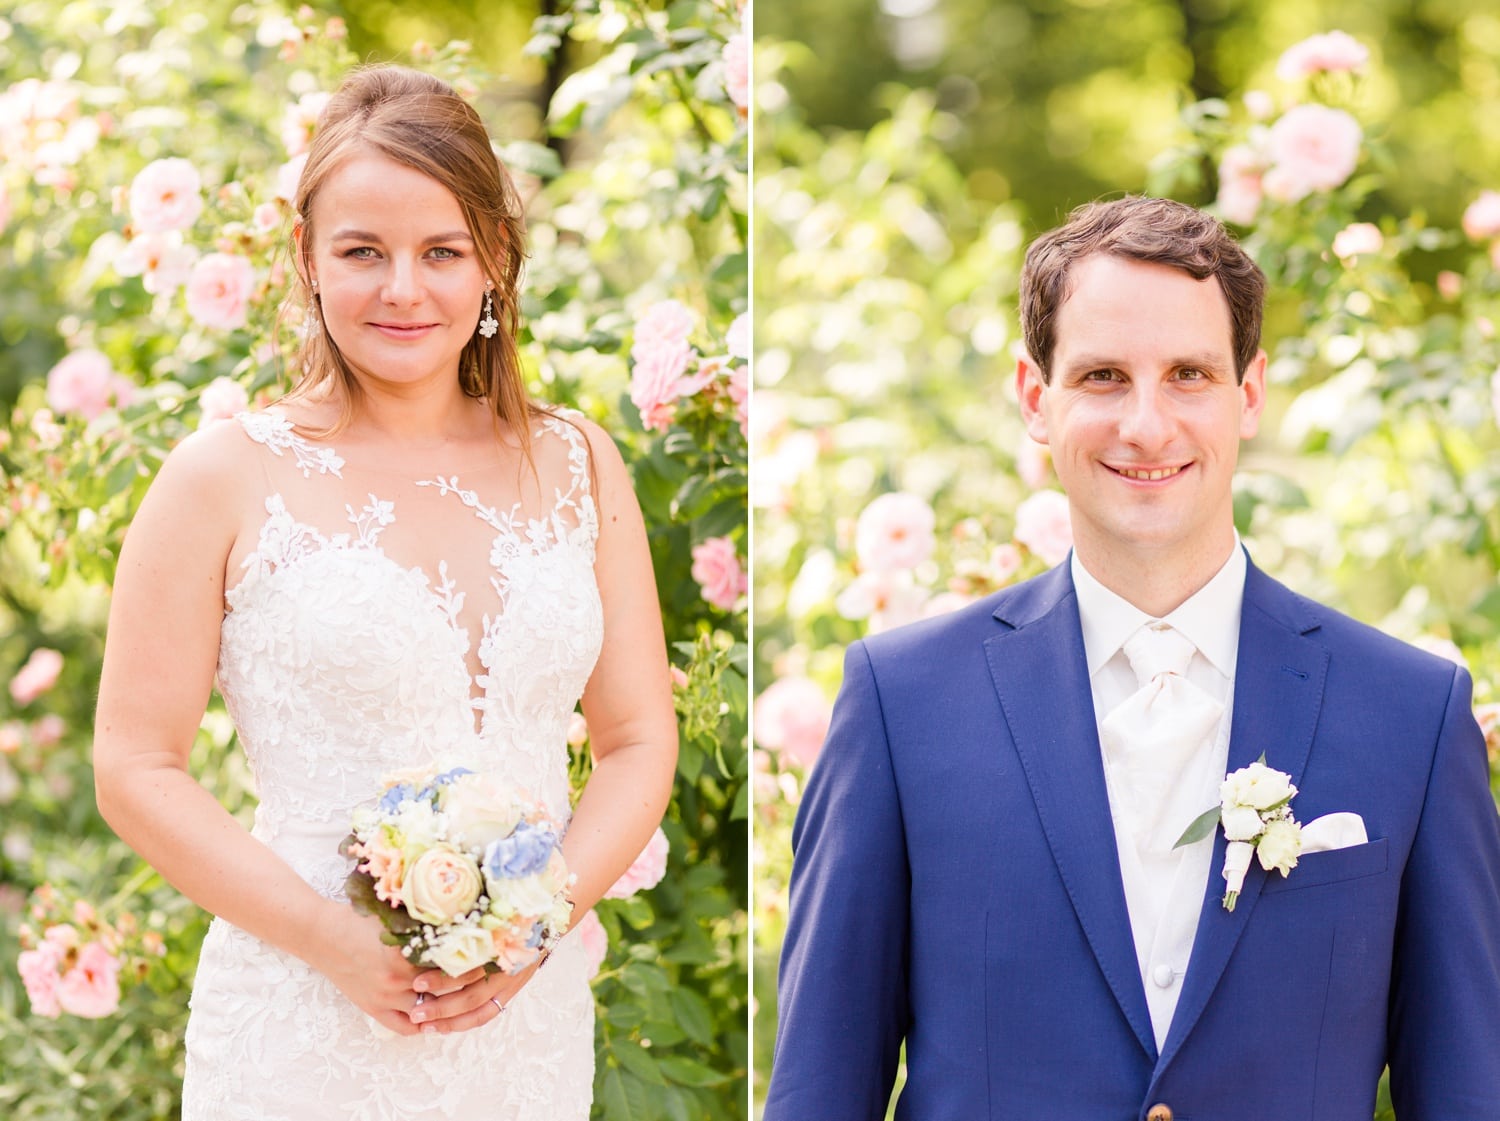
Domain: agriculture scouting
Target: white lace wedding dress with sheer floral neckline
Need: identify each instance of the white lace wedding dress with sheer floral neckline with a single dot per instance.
(347, 655)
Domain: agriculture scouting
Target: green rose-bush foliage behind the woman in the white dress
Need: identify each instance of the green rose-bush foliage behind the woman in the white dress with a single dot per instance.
(646, 202)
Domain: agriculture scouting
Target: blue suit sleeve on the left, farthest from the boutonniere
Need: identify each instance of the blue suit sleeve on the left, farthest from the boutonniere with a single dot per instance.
(842, 993)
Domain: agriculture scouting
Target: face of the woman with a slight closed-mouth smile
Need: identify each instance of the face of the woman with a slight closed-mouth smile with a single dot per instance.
(400, 283)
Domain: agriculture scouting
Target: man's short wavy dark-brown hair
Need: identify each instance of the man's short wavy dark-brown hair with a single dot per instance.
(1151, 230)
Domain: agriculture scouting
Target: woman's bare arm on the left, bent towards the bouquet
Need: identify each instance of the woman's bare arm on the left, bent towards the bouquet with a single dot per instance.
(158, 672)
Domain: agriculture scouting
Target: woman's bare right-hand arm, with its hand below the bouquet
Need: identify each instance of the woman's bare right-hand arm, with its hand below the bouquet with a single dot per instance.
(632, 730)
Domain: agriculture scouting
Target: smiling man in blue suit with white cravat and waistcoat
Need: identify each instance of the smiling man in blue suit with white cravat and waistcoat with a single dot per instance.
(986, 864)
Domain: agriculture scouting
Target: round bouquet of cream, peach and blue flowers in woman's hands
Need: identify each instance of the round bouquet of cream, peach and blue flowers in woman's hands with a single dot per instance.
(460, 871)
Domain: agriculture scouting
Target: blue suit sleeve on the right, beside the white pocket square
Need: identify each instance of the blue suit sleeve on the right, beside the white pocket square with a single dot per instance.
(1445, 997)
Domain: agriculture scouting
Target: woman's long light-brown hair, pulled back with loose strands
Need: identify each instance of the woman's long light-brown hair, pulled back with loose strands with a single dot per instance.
(424, 124)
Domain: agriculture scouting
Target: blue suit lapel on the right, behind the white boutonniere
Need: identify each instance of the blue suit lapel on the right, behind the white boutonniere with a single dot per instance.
(1279, 696)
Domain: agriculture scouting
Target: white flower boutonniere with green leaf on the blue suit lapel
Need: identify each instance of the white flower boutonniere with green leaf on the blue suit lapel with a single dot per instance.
(1256, 813)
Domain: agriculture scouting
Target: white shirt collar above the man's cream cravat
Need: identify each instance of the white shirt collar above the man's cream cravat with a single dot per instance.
(1210, 618)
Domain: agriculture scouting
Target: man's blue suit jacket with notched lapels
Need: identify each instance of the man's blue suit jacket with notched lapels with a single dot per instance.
(956, 886)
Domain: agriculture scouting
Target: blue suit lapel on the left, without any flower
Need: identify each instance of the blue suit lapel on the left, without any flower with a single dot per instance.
(1042, 678)
